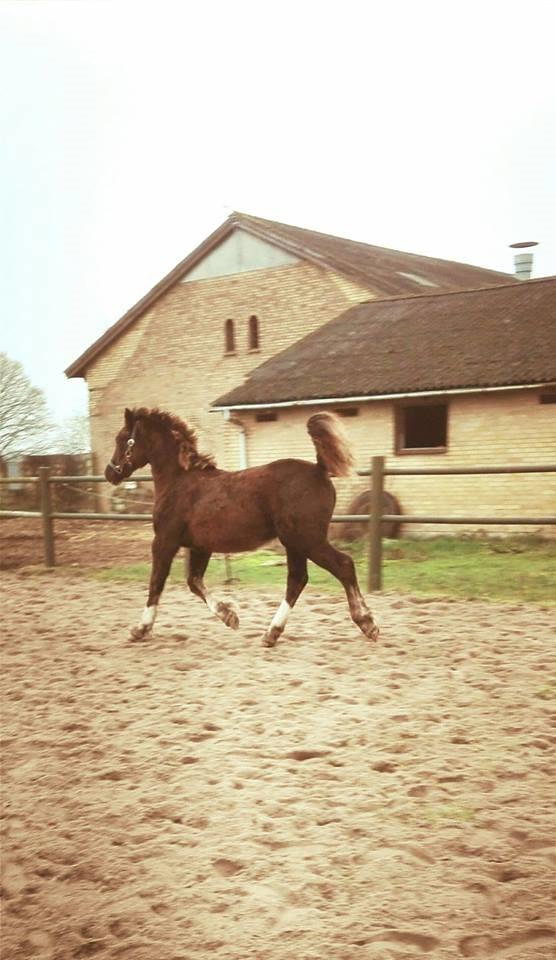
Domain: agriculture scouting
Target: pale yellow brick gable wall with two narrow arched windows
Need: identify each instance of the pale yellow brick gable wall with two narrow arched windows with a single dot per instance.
(173, 356)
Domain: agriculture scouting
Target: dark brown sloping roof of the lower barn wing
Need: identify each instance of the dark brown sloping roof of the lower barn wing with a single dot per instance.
(497, 336)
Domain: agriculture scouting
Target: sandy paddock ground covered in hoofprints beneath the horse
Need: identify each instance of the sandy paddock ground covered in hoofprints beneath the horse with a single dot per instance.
(199, 796)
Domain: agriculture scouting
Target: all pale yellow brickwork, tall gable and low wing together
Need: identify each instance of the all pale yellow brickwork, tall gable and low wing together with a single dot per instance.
(173, 357)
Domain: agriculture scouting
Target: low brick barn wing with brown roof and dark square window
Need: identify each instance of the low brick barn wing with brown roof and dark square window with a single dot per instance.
(437, 379)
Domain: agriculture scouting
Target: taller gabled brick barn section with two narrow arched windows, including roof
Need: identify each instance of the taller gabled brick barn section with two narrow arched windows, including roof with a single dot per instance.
(250, 290)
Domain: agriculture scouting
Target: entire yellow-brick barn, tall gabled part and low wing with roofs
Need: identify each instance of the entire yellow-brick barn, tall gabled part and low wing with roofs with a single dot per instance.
(265, 322)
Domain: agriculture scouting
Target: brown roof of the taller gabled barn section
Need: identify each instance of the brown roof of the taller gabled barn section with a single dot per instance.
(384, 271)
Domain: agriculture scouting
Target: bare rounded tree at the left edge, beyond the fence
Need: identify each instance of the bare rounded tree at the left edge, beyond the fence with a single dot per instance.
(24, 421)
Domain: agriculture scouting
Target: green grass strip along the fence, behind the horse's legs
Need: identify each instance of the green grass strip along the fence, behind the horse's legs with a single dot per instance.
(520, 568)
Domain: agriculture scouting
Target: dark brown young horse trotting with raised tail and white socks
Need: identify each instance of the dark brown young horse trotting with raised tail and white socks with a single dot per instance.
(210, 510)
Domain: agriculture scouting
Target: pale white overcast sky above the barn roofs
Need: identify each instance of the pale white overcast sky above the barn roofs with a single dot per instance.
(129, 131)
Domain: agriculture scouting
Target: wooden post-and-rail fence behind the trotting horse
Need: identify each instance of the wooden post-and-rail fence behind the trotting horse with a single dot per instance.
(375, 518)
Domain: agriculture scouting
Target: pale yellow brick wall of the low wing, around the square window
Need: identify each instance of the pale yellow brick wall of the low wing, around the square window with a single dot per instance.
(491, 429)
